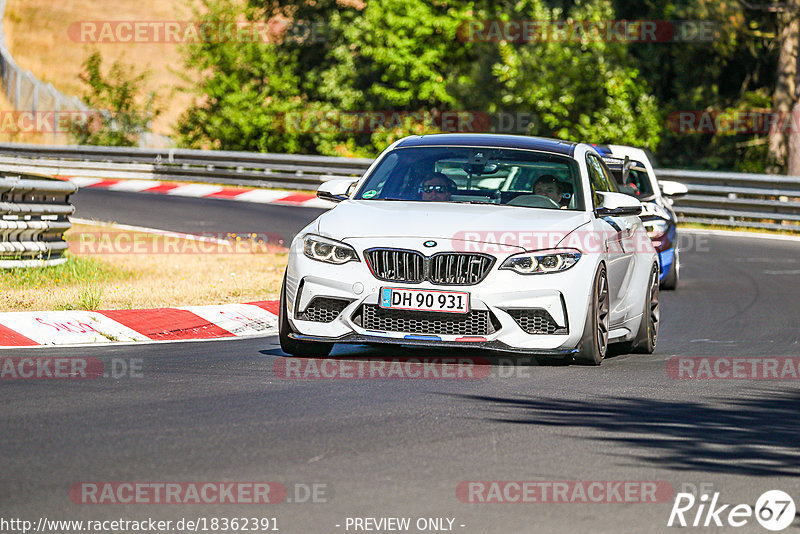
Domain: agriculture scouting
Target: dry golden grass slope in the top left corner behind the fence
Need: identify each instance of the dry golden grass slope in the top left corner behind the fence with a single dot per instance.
(37, 36)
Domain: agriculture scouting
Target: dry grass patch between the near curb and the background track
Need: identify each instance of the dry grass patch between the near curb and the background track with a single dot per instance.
(147, 280)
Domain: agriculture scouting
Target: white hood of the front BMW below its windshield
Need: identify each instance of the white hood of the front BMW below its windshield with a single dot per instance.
(358, 219)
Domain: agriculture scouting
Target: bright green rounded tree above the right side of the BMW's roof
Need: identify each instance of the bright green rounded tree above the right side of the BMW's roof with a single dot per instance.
(588, 91)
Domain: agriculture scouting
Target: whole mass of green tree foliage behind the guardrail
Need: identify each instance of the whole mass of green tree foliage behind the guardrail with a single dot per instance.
(325, 59)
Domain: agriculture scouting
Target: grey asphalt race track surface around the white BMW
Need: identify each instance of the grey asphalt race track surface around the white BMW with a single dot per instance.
(215, 411)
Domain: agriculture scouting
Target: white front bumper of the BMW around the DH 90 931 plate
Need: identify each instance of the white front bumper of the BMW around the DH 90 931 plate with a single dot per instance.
(564, 296)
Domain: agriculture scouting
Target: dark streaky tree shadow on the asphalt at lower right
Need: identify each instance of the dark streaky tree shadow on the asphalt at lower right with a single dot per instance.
(757, 436)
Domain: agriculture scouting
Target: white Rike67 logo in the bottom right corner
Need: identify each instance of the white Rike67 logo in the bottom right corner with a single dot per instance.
(774, 510)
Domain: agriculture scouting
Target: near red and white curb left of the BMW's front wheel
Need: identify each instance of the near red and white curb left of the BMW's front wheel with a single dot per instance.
(189, 323)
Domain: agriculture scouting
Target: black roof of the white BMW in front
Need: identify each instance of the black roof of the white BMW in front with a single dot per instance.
(491, 140)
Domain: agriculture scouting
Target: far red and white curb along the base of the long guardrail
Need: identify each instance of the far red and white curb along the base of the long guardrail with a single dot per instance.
(241, 194)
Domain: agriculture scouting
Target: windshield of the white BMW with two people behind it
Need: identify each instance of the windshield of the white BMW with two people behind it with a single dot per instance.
(476, 175)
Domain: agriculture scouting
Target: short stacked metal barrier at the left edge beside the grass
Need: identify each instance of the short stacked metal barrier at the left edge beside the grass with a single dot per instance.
(34, 214)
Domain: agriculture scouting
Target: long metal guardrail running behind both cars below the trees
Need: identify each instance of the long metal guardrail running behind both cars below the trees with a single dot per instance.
(723, 198)
